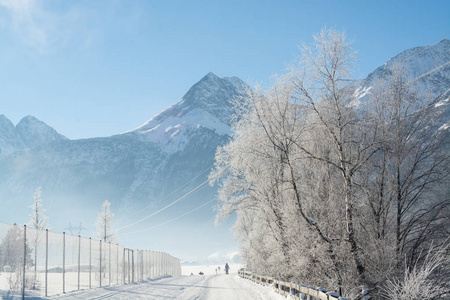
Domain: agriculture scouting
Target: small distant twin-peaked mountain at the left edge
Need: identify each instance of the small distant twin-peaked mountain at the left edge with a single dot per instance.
(28, 133)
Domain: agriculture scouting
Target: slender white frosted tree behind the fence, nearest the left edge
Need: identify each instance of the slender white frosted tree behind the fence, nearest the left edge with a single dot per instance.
(38, 222)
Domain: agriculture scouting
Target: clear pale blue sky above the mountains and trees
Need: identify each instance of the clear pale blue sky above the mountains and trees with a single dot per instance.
(98, 68)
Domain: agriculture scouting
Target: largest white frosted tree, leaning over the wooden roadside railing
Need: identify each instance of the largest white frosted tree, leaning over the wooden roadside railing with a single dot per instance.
(302, 128)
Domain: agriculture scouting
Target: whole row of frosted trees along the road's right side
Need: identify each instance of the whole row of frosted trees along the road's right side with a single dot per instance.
(336, 192)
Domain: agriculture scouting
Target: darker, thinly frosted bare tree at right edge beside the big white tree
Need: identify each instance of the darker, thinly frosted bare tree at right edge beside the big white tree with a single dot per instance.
(406, 203)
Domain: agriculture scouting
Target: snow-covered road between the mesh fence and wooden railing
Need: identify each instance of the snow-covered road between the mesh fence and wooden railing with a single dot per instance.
(212, 287)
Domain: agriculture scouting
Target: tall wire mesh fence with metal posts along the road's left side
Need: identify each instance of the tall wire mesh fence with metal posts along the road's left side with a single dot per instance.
(45, 263)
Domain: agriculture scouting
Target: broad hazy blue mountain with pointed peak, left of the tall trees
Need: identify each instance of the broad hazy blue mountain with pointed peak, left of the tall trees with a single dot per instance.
(142, 167)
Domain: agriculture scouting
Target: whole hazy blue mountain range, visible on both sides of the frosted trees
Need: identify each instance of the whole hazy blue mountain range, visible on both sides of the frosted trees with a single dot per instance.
(158, 162)
